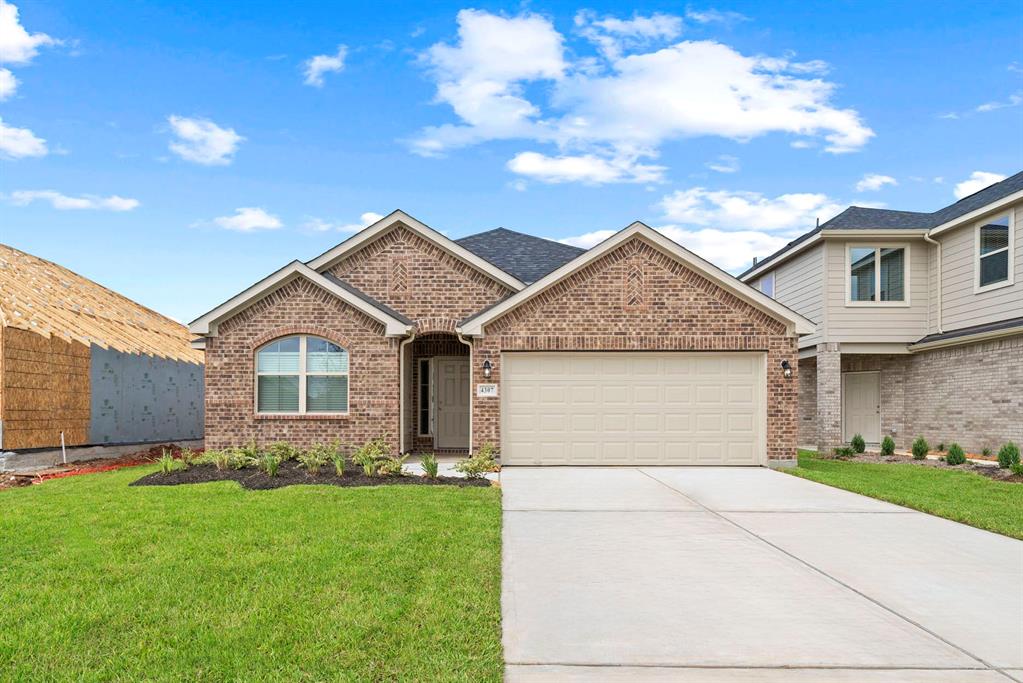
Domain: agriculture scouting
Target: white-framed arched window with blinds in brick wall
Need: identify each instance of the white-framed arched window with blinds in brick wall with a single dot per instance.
(302, 375)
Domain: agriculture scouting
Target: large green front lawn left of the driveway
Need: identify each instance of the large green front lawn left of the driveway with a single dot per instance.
(100, 581)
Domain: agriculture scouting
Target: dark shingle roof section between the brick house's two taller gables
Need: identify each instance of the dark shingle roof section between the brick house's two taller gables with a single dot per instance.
(525, 257)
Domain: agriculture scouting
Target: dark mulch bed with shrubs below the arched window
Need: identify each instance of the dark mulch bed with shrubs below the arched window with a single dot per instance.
(292, 474)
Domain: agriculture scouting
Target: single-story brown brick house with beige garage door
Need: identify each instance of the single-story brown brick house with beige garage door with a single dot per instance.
(636, 351)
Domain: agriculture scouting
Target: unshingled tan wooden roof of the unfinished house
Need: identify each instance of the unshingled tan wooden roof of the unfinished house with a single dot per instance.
(50, 300)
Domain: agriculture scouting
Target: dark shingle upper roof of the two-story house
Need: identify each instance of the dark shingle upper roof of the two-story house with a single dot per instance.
(862, 218)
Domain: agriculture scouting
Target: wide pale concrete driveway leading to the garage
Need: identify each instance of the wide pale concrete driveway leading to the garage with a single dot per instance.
(676, 574)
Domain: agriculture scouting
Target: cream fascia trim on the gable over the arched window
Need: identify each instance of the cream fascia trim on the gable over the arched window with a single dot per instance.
(207, 326)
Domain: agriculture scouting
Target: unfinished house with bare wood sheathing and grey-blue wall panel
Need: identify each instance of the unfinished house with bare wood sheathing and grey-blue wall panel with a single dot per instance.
(79, 359)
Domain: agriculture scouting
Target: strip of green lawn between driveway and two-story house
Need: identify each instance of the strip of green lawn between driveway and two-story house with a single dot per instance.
(972, 499)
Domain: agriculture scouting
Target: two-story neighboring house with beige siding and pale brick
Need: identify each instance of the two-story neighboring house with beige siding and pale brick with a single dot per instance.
(919, 323)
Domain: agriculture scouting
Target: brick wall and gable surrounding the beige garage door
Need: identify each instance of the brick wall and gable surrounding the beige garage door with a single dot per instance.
(609, 306)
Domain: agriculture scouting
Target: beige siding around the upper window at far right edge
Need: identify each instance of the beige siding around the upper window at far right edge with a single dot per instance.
(961, 306)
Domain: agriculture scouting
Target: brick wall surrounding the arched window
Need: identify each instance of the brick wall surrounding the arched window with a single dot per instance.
(300, 307)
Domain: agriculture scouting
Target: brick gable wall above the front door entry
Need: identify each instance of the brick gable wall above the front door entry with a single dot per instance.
(437, 286)
